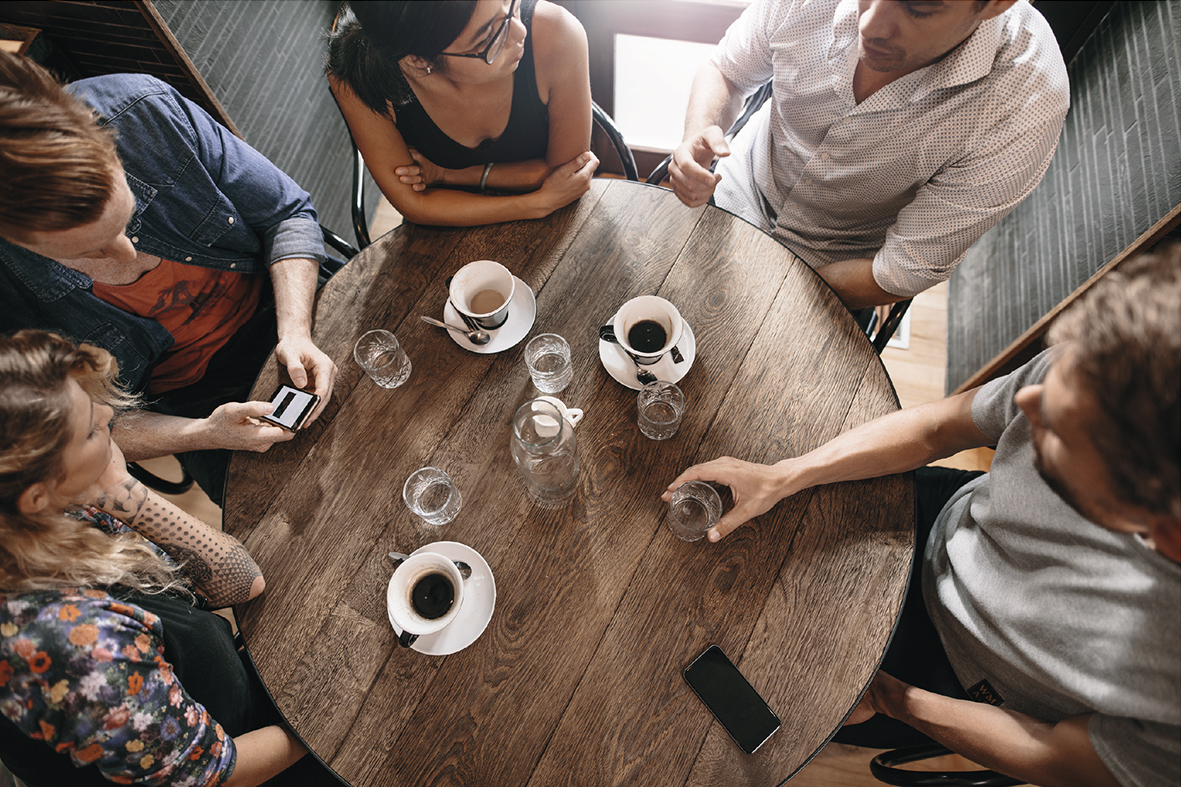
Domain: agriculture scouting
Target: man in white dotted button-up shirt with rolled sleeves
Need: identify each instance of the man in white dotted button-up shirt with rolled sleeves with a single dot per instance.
(896, 135)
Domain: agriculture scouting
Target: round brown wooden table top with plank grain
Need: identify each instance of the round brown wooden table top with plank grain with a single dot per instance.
(578, 678)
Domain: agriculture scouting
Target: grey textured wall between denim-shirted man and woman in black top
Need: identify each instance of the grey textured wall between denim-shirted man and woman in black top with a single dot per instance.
(264, 60)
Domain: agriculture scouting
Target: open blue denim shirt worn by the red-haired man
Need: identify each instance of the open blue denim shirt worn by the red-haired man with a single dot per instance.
(203, 198)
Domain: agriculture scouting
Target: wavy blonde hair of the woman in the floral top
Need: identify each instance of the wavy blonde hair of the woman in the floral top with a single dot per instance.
(51, 549)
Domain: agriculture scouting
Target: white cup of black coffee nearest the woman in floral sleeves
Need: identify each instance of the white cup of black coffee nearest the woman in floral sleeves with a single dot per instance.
(425, 595)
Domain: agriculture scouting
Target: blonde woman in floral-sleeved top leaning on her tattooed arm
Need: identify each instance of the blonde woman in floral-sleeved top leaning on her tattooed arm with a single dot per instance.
(109, 671)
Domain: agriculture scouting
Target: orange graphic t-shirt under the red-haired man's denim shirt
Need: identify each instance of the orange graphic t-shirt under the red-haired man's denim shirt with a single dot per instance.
(201, 308)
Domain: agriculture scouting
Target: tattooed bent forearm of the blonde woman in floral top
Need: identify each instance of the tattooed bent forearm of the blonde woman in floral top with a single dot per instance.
(218, 564)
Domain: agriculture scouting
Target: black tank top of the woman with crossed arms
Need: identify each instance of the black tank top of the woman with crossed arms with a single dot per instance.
(526, 136)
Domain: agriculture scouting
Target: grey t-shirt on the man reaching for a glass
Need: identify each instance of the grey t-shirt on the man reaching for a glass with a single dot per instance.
(1060, 616)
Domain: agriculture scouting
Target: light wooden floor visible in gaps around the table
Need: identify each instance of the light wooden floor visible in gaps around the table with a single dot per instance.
(918, 374)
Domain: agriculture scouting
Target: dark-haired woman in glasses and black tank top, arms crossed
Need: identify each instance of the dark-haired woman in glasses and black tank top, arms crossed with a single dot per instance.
(467, 112)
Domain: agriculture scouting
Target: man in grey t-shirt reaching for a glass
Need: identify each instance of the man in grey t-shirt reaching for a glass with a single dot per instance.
(1052, 587)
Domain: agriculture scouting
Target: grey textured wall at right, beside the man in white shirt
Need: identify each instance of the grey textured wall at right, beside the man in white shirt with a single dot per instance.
(1117, 173)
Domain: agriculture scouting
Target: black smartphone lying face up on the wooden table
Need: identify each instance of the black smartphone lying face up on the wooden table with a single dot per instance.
(732, 699)
